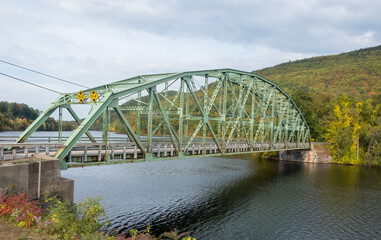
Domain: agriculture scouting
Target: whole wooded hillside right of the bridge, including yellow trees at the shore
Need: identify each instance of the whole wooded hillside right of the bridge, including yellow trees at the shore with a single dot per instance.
(340, 97)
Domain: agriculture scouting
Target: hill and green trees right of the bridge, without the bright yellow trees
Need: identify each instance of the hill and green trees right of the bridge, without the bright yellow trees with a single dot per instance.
(315, 84)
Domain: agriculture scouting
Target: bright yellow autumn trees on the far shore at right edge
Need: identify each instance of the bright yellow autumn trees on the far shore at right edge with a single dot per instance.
(354, 132)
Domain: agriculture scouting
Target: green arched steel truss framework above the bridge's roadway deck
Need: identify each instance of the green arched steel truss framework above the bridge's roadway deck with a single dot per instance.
(272, 112)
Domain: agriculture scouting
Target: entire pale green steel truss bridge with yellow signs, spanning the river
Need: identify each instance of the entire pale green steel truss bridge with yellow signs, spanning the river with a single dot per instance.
(212, 112)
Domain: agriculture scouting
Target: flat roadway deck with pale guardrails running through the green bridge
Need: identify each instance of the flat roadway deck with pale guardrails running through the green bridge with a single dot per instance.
(100, 153)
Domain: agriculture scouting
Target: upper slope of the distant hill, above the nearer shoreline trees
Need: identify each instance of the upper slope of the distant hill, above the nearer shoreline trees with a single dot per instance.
(356, 73)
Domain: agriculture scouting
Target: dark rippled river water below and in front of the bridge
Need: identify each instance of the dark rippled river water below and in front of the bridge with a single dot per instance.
(238, 198)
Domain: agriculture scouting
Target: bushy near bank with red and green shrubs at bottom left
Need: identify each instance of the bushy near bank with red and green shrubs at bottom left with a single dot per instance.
(51, 218)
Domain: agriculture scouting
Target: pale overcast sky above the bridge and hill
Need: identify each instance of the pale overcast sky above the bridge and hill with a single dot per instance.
(101, 41)
